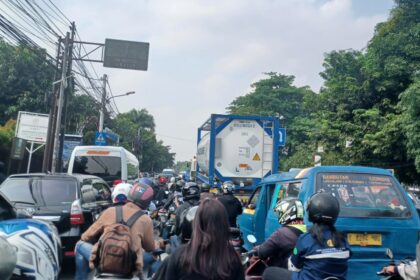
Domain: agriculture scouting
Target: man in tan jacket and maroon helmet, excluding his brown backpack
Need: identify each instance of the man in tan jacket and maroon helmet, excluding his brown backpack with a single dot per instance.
(139, 197)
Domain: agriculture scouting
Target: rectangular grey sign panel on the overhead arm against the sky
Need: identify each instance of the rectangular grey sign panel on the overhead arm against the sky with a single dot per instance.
(126, 54)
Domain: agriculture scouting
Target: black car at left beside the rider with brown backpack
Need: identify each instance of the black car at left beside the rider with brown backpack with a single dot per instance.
(71, 202)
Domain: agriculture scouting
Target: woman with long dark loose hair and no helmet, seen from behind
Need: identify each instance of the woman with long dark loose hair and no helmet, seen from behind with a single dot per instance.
(208, 255)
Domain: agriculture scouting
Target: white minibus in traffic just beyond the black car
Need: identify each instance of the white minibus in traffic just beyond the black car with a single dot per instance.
(113, 164)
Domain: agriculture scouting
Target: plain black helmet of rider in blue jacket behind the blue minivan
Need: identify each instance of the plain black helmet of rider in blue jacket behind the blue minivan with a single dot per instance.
(323, 208)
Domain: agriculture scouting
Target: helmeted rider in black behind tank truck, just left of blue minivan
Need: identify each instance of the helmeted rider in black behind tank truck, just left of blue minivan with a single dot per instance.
(232, 205)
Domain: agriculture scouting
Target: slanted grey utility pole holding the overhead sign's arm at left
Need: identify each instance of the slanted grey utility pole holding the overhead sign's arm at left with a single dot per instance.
(63, 85)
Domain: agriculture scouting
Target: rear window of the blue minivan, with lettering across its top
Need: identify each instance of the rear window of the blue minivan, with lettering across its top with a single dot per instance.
(364, 195)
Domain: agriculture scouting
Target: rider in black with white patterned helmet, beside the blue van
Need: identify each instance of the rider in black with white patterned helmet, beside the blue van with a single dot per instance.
(279, 246)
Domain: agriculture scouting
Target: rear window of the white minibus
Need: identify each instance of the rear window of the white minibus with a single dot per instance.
(106, 167)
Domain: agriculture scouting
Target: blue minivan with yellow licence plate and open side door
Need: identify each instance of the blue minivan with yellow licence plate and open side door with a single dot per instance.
(376, 213)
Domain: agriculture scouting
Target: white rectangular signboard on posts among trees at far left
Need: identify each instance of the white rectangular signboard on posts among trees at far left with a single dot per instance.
(32, 127)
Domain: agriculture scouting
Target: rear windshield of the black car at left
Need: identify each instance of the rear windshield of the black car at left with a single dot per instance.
(40, 191)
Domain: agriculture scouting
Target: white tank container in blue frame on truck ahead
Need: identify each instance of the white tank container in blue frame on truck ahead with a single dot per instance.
(241, 149)
